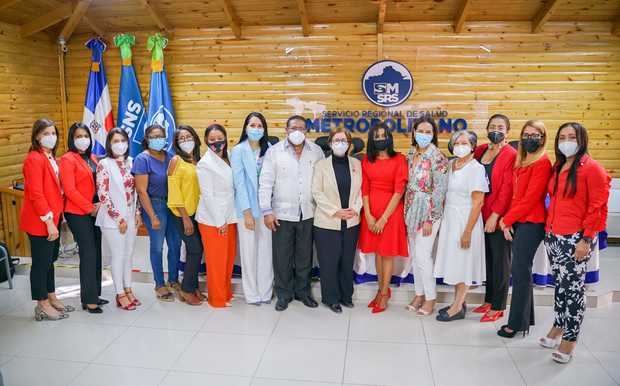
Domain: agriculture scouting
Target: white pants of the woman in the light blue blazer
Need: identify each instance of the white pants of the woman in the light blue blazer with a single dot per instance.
(256, 261)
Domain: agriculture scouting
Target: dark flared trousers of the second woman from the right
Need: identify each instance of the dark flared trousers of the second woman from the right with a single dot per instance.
(525, 242)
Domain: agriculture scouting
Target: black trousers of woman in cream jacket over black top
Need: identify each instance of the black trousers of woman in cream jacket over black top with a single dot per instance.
(336, 252)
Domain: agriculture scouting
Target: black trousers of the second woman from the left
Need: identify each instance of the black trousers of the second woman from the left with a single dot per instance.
(88, 238)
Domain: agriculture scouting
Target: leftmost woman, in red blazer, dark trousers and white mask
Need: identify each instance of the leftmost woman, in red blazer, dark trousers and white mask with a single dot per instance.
(40, 218)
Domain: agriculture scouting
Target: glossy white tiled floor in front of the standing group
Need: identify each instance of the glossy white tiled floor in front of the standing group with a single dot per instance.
(174, 344)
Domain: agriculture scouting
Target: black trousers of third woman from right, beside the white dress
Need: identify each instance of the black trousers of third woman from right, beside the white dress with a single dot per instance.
(497, 269)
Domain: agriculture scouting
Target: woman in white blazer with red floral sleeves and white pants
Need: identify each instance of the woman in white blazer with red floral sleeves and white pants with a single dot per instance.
(117, 214)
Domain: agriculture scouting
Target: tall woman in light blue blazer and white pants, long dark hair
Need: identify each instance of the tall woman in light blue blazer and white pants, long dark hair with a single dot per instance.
(246, 160)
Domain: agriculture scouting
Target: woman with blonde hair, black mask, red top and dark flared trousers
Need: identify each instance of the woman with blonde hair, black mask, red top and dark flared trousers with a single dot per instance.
(524, 223)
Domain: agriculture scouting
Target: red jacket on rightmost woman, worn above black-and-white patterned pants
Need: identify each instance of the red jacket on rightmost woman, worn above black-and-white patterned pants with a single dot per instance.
(585, 211)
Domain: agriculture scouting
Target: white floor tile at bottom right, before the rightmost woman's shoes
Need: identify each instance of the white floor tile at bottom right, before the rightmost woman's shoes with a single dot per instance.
(538, 368)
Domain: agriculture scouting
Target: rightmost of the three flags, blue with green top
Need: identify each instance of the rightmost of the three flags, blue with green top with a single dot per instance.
(160, 103)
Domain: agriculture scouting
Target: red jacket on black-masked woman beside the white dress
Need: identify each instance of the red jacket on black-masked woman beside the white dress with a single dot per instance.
(498, 200)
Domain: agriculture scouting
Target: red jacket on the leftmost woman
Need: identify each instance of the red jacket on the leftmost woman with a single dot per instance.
(42, 194)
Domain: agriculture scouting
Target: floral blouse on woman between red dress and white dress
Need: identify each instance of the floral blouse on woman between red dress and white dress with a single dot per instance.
(426, 189)
